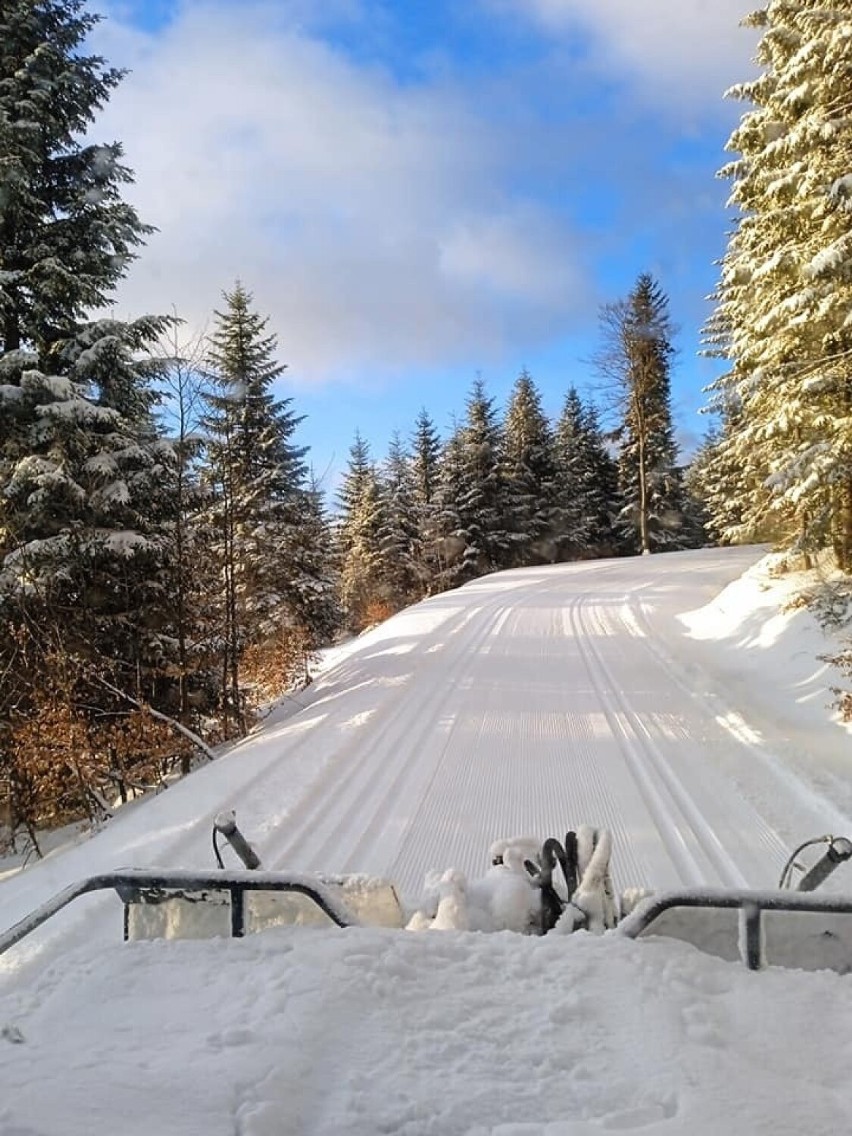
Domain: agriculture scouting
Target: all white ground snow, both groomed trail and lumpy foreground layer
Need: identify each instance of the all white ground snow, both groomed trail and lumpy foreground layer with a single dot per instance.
(669, 699)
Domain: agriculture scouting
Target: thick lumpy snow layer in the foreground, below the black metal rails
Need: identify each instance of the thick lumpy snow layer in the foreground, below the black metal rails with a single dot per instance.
(358, 1033)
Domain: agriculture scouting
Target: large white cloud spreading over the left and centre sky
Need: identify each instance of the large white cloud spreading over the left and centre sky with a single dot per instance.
(365, 216)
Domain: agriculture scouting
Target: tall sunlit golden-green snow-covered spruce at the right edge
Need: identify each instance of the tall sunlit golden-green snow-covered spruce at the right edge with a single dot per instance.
(786, 294)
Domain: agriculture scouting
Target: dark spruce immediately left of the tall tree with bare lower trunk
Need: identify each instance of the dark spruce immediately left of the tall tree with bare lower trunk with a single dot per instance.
(588, 497)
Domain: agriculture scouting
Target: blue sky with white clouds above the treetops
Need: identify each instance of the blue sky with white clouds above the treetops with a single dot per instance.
(422, 191)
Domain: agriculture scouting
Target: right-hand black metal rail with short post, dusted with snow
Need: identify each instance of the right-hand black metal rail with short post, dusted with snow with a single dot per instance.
(751, 906)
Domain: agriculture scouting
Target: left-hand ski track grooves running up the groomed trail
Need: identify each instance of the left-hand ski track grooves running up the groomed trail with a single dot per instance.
(337, 815)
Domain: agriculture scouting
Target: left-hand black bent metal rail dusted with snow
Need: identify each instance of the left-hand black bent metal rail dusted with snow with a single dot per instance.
(131, 882)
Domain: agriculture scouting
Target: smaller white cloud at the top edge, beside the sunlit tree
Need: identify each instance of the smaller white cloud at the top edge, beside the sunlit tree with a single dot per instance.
(682, 53)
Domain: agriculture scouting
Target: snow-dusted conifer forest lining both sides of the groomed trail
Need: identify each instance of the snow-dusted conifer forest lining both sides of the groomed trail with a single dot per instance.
(169, 564)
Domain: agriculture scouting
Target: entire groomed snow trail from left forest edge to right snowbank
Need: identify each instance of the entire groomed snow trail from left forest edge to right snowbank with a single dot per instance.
(524, 704)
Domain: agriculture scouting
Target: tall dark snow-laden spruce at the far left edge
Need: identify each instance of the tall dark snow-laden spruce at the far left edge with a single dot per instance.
(81, 464)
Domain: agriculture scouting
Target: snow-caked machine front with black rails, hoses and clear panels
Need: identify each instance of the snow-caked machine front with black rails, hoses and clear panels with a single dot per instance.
(538, 888)
